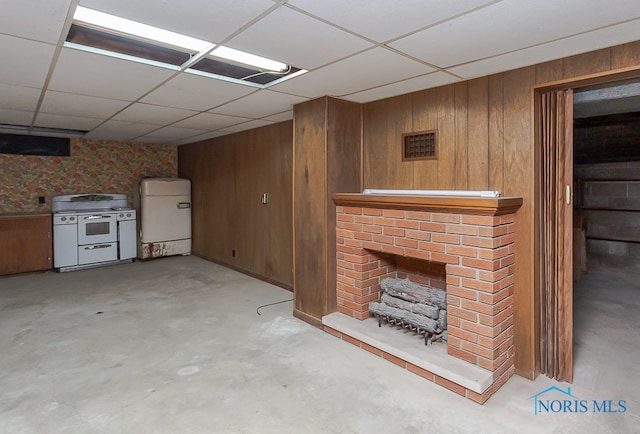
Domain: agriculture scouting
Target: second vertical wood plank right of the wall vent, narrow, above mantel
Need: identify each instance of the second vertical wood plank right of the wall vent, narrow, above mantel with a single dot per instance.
(461, 97)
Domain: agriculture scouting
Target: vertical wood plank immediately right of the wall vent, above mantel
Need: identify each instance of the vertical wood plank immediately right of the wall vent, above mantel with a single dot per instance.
(446, 138)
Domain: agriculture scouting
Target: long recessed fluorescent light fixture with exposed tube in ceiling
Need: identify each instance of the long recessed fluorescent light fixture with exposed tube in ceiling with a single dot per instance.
(109, 34)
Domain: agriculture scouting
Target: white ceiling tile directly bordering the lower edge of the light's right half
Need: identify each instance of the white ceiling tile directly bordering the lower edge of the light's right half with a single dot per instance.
(194, 92)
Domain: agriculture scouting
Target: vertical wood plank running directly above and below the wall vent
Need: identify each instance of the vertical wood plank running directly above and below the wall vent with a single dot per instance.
(425, 118)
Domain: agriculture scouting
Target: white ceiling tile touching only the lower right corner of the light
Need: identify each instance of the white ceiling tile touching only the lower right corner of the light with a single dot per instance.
(259, 104)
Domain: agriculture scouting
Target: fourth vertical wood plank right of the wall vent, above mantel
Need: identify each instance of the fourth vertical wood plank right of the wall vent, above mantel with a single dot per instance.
(496, 132)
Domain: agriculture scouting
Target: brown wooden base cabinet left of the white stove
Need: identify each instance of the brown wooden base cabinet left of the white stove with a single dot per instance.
(25, 243)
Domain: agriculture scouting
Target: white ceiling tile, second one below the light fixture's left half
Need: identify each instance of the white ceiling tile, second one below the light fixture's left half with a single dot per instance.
(80, 105)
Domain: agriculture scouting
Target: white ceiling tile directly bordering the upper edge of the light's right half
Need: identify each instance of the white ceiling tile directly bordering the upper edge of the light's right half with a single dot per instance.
(297, 39)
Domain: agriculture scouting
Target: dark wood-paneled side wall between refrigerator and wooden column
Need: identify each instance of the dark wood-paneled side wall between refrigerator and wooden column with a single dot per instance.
(229, 174)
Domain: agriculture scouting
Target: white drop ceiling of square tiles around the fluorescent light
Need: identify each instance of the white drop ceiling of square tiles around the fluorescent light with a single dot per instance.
(359, 50)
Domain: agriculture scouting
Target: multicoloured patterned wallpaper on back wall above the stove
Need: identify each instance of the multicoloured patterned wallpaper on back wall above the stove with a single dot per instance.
(95, 166)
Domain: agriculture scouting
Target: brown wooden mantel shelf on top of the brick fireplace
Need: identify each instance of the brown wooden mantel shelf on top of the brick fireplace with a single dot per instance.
(451, 204)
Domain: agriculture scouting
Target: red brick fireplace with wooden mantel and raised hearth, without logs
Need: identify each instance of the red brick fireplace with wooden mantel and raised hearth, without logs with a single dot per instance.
(465, 244)
